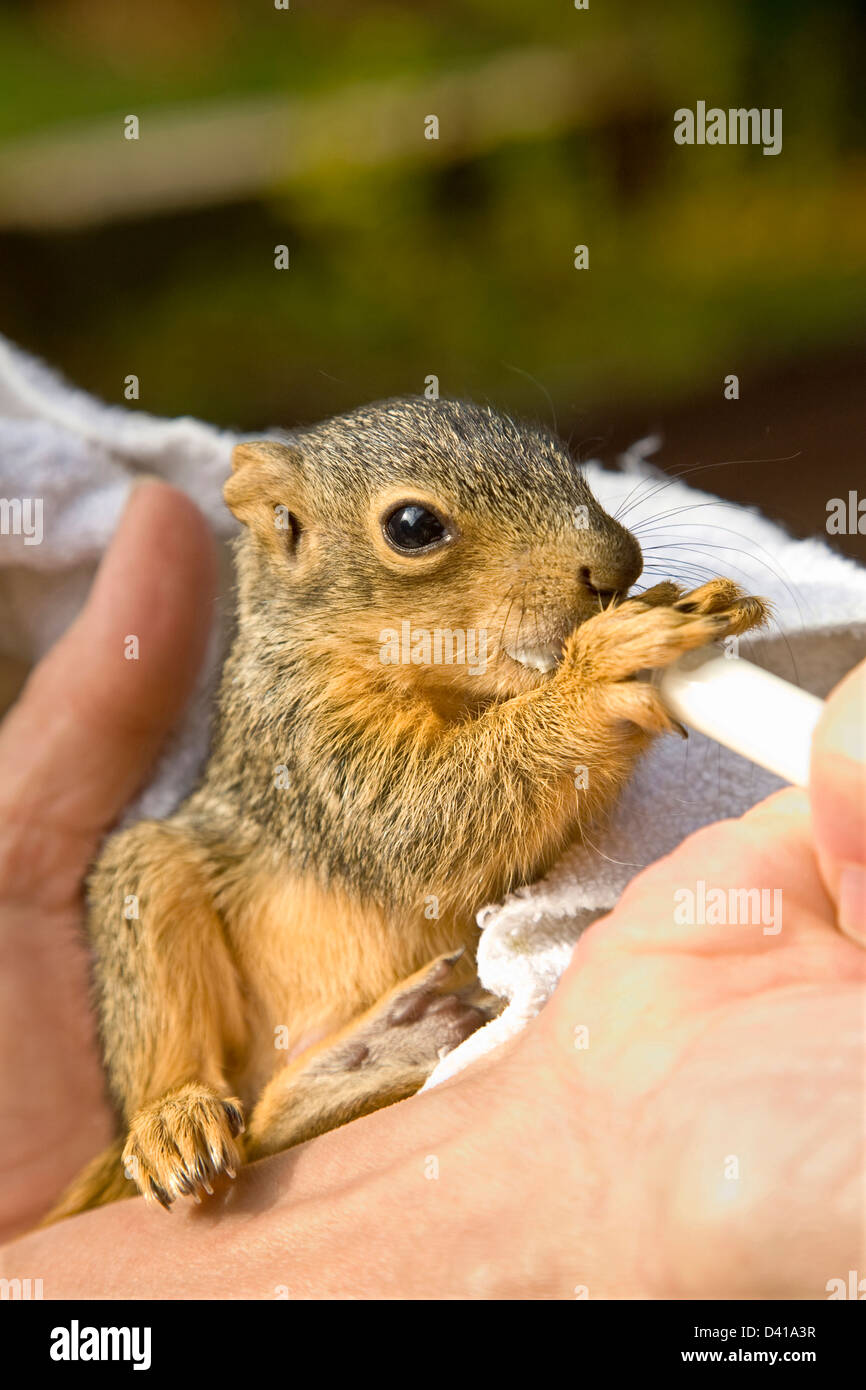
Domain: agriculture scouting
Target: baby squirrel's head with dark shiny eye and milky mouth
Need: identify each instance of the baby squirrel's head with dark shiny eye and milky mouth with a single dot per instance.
(434, 544)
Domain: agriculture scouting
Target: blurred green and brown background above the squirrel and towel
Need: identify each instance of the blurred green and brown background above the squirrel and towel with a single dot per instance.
(263, 127)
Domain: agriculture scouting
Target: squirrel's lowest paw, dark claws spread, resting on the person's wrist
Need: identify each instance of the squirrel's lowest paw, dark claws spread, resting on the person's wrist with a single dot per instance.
(181, 1143)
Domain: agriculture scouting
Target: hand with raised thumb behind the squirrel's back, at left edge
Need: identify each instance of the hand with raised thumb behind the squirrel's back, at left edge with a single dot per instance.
(73, 753)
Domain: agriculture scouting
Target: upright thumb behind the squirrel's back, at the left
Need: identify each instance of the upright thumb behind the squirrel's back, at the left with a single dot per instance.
(91, 722)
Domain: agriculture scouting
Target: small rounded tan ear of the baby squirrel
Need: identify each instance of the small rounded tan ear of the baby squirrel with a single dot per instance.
(266, 490)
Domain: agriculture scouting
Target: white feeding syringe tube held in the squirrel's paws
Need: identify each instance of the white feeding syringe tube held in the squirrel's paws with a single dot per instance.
(742, 707)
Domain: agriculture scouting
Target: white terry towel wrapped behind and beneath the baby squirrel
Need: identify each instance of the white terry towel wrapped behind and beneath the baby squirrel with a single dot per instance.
(81, 458)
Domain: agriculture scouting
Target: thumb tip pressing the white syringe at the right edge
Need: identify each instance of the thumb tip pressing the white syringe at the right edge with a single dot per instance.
(838, 790)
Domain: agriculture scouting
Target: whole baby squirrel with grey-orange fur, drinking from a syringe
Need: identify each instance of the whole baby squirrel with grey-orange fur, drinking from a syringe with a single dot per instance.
(297, 956)
